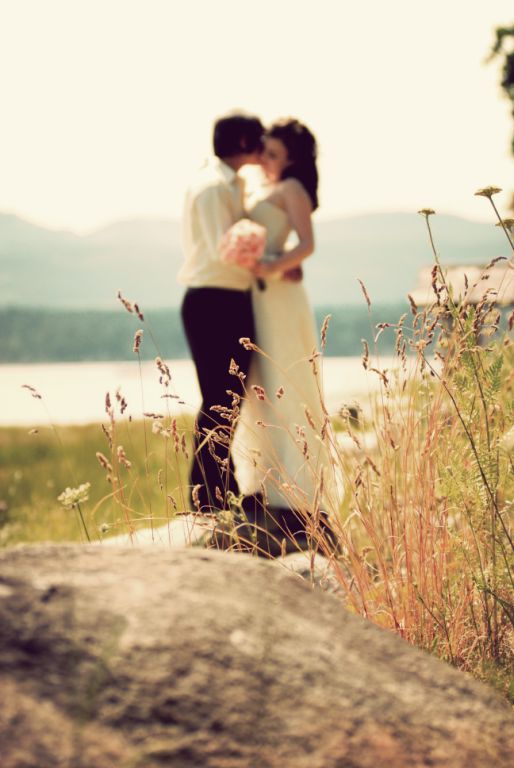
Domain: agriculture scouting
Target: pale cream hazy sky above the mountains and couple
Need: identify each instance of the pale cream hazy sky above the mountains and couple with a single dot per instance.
(107, 105)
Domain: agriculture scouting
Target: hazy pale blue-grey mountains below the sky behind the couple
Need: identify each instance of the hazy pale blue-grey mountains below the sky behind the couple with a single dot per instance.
(59, 269)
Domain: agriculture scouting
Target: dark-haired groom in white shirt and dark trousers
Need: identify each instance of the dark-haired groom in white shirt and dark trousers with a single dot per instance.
(217, 310)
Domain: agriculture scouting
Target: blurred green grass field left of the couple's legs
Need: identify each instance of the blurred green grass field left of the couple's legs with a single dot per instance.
(36, 467)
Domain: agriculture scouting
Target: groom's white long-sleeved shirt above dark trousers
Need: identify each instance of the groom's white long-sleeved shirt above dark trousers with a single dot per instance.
(214, 202)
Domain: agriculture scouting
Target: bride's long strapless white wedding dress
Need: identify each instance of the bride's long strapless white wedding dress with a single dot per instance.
(278, 442)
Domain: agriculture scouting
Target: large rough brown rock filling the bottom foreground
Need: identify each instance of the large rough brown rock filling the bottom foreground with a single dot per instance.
(139, 658)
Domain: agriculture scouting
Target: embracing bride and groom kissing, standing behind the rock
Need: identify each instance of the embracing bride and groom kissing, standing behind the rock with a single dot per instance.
(261, 435)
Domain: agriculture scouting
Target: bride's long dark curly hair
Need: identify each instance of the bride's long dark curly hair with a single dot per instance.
(301, 151)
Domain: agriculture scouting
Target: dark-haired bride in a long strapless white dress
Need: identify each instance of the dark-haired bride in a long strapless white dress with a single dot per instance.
(281, 441)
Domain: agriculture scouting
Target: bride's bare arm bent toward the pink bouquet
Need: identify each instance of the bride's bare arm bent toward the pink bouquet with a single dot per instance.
(299, 209)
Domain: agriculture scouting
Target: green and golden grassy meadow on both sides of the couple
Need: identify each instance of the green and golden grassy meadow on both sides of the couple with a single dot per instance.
(424, 526)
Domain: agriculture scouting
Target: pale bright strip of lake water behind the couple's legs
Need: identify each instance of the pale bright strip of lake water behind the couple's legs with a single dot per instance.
(74, 393)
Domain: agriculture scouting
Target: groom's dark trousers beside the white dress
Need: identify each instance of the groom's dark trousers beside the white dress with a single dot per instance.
(214, 320)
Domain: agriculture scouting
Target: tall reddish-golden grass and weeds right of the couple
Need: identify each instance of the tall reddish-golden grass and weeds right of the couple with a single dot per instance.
(426, 523)
